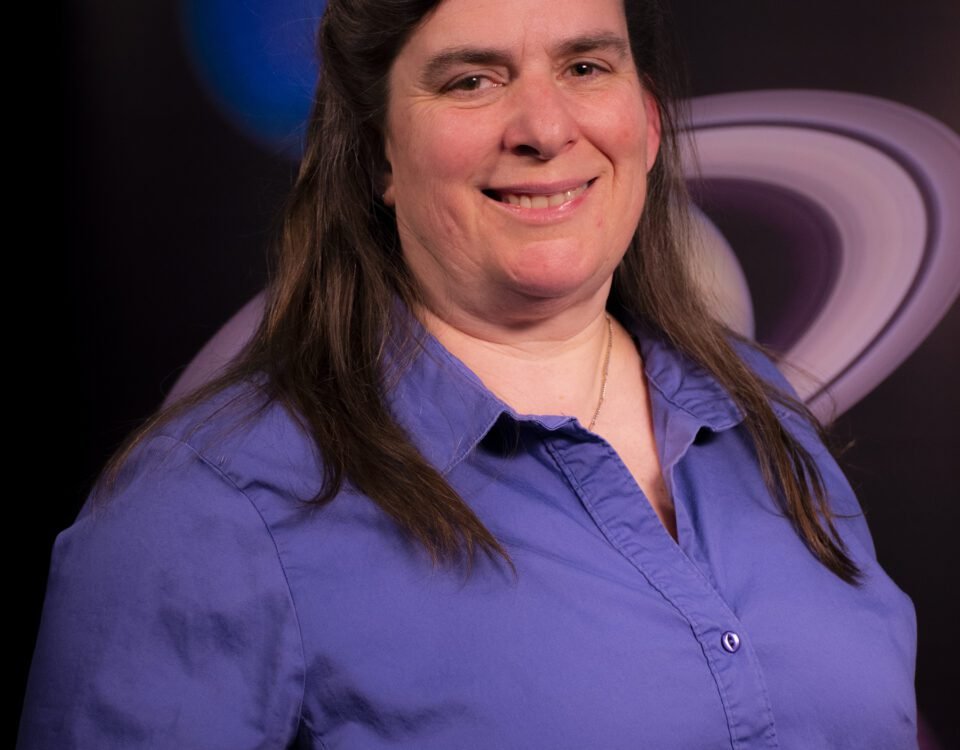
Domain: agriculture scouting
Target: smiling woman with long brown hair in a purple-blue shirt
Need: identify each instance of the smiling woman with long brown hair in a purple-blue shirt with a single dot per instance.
(479, 348)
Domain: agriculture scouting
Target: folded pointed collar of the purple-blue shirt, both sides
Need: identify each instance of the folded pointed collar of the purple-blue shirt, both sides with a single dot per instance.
(446, 410)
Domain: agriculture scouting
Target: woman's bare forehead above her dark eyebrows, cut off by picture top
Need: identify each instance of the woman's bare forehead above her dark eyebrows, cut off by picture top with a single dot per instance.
(515, 26)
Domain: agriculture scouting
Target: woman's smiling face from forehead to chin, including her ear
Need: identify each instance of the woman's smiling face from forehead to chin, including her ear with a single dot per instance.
(519, 138)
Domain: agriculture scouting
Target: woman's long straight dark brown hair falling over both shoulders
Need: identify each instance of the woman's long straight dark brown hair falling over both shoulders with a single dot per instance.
(322, 343)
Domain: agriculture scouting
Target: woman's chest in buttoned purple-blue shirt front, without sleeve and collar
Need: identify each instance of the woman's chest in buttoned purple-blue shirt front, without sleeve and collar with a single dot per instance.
(611, 635)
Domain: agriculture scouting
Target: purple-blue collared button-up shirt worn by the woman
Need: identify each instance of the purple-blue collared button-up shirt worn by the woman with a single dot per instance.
(204, 606)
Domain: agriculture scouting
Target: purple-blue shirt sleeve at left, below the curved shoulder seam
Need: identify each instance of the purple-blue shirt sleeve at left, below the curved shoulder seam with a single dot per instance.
(168, 622)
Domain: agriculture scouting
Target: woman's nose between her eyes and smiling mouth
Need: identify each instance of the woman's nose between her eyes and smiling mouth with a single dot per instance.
(540, 123)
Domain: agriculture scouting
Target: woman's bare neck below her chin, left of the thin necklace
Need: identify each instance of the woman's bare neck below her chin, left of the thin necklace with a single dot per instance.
(538, 364)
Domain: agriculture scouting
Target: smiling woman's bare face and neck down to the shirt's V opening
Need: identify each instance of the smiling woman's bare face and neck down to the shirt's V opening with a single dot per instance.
(516, 197)
